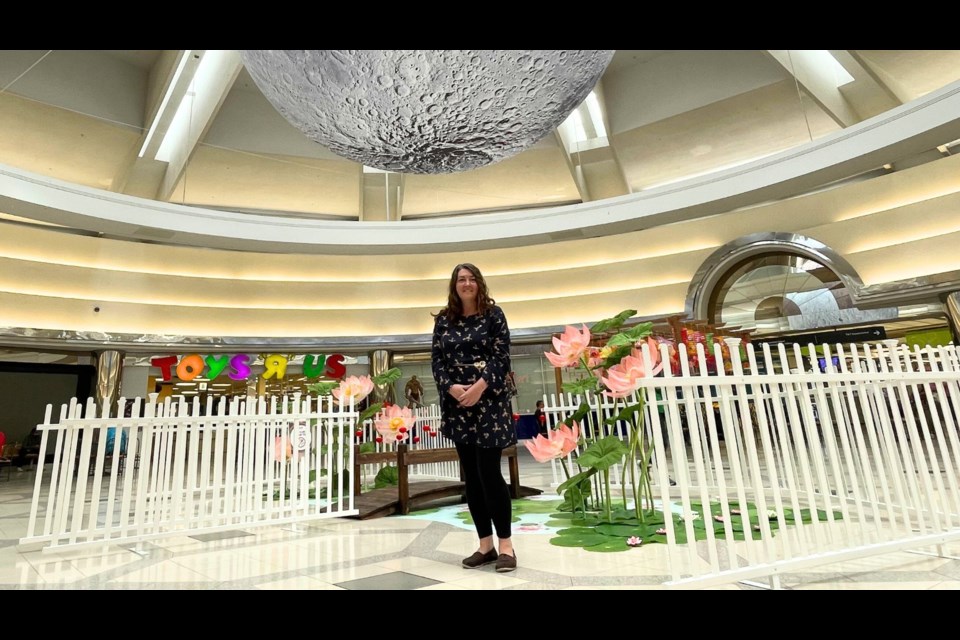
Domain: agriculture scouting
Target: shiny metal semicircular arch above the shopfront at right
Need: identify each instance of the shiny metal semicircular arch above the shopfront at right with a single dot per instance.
(719, 263)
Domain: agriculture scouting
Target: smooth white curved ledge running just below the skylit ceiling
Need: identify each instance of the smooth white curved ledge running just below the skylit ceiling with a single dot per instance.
(912, 128)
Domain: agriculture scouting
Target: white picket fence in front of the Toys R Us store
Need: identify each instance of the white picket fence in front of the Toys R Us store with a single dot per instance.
(189, 469)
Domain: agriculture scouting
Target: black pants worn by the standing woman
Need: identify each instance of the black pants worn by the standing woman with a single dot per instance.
(488, 496)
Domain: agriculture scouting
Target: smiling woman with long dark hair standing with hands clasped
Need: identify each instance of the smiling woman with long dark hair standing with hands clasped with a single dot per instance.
(471, 360)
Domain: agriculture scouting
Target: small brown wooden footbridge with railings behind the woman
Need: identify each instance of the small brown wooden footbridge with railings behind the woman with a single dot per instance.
(404, 458)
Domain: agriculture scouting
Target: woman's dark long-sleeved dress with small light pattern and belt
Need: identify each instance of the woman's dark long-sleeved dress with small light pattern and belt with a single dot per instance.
(458, 349)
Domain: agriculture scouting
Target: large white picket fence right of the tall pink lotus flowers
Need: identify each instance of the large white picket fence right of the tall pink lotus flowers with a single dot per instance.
(869, 447)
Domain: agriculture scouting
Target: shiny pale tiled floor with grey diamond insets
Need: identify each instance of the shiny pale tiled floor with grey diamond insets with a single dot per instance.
(390, 553)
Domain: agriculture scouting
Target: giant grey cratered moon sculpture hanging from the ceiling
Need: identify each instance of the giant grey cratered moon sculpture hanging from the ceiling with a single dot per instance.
(425, 111)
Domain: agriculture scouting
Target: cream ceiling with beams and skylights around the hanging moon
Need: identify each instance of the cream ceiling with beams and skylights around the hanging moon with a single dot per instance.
(84, 117)
